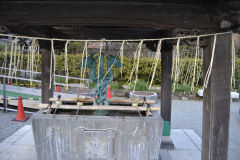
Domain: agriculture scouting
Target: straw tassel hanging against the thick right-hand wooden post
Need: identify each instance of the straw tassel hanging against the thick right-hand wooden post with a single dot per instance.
(206, 79)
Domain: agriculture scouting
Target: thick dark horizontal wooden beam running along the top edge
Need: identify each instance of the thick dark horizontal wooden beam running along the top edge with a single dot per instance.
(102, 13)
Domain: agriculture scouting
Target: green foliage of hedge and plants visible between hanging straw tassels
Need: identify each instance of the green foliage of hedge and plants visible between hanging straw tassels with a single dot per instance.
(144, 72)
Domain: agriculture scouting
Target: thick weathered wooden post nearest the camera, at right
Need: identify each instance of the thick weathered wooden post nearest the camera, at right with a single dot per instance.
(216, 102)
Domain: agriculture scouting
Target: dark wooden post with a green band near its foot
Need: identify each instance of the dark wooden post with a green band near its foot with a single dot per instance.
(166, 87)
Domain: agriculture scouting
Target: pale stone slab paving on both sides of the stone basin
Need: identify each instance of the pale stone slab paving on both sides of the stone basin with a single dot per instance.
(20, 146)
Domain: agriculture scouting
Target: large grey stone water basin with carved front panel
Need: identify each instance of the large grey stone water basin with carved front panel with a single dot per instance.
(87, 137)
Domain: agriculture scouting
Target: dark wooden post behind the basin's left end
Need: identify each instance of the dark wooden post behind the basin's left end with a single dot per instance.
(45, 69)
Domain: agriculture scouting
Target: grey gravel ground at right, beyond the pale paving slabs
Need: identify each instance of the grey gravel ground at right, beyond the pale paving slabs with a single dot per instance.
(188, 114)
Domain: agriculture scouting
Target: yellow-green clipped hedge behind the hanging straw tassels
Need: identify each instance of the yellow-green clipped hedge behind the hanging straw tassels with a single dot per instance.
(144, 72)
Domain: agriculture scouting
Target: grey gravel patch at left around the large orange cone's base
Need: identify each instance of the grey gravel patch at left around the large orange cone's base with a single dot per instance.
(7, 126)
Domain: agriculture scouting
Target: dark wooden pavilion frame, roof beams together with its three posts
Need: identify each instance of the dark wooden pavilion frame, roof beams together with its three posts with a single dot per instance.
(141, 19)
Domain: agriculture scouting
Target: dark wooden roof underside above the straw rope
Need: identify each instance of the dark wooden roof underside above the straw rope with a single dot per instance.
(118, 18)
